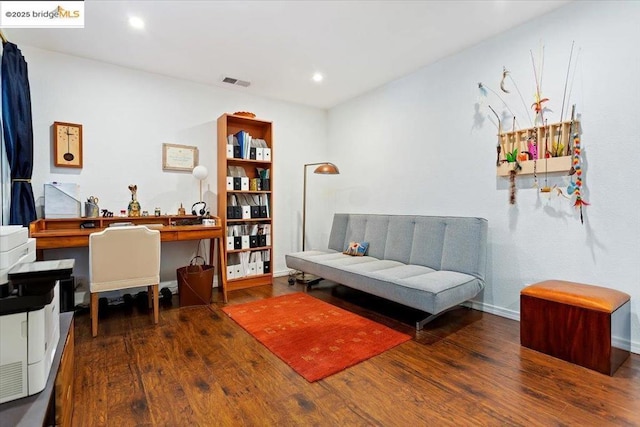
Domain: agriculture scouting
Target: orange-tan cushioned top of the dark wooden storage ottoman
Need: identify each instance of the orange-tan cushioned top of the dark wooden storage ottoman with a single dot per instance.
(577, 294)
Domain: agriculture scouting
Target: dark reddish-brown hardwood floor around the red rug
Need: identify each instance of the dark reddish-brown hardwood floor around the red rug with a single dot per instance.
(199, 368)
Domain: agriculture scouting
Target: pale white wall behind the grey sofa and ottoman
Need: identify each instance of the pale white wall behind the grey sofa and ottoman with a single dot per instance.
(418, 146)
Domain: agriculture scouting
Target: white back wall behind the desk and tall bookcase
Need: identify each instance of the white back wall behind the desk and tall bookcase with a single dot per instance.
(127, 115)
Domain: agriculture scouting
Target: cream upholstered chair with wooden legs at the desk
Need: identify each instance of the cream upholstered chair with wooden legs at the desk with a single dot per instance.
(122, 258)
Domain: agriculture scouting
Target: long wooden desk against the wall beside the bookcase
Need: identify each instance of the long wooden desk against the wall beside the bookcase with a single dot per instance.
(67, 233)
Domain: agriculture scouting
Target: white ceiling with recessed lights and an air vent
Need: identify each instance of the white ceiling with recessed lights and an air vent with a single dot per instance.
(278, 45)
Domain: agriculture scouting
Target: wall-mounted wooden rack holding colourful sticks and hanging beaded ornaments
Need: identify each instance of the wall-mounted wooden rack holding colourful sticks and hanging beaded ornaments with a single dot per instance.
(530, 144)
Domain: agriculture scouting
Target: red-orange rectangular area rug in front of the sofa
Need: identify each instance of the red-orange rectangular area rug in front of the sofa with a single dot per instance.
(315, 338)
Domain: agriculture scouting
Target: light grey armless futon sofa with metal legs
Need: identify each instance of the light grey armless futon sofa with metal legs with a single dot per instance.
(429, 263)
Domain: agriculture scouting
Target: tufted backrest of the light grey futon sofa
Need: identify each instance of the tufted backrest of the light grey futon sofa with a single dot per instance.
(438, 242)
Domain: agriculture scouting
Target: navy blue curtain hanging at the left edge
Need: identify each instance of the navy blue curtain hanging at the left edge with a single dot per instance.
(18, 133)
